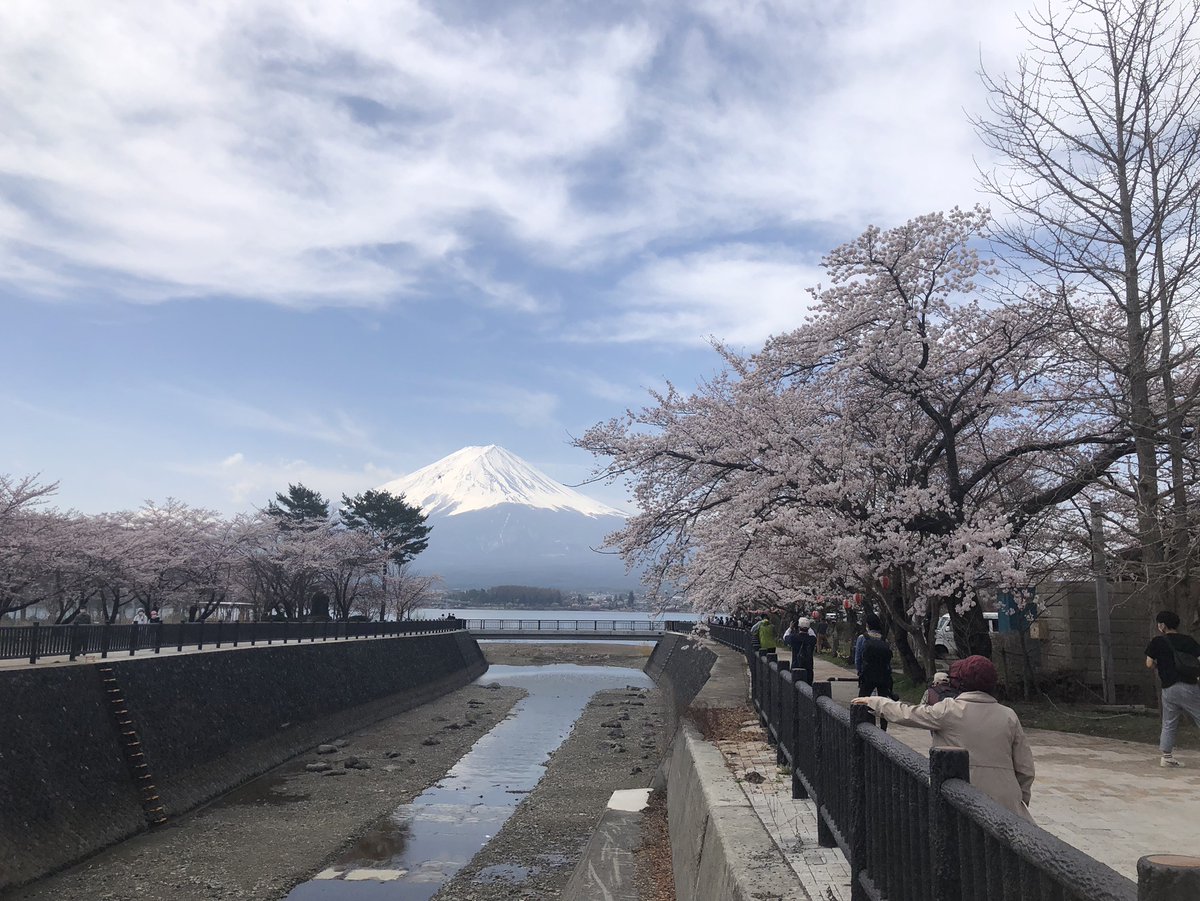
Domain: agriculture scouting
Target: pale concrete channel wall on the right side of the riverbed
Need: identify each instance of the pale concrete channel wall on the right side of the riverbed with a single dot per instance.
(721, 850)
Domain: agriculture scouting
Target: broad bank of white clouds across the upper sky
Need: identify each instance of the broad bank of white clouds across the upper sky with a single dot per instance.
(355, 153)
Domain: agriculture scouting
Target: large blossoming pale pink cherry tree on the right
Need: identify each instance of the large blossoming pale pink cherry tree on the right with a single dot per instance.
(910, 429)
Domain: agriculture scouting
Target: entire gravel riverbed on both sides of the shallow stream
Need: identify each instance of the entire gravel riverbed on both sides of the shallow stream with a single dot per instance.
(280, 830)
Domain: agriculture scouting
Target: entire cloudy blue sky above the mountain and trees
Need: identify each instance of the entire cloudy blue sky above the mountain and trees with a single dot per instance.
(251, 243)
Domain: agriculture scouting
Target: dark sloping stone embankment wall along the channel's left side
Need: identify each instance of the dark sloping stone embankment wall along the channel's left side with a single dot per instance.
(207, 723)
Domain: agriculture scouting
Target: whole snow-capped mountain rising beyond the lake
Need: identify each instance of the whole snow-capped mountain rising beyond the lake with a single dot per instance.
(497, 520)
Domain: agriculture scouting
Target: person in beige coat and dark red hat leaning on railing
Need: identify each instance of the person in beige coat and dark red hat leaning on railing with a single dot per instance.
(1001, 759)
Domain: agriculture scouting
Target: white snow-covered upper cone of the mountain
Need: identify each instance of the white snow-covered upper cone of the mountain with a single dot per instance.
(484, 477)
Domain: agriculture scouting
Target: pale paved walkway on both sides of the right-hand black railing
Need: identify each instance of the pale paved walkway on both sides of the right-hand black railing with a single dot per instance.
(1111, 800)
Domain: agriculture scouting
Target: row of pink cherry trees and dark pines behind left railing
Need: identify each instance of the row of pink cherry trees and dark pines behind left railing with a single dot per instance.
(296, 558)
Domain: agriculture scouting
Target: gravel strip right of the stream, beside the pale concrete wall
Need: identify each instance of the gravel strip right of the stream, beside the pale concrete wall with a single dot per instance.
(616, 744)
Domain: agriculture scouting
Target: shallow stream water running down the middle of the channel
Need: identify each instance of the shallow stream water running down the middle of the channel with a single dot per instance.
(424, 844)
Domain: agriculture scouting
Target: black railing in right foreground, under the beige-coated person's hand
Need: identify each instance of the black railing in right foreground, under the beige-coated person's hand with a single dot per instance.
(914, 828)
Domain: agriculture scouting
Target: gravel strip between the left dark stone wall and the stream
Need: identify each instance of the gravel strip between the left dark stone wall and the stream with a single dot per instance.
(280, 830)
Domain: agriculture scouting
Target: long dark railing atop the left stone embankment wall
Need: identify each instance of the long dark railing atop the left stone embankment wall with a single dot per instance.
(38, 641)
